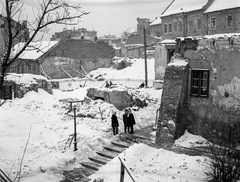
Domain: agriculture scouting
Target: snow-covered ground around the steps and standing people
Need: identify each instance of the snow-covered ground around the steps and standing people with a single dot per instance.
(44, 118)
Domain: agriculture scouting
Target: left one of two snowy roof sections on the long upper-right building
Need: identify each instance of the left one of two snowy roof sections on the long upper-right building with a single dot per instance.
(181, 6)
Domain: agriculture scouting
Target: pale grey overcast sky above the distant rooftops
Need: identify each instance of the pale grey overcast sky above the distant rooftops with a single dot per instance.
(110, 16)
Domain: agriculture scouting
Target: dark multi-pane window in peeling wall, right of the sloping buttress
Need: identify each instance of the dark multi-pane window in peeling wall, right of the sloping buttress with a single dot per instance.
(200, 83)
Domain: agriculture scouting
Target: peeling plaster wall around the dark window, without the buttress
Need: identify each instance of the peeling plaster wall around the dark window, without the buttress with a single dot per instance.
(212, 116)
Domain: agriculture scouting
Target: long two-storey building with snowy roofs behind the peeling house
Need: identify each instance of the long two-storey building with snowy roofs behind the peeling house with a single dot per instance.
(205, 17)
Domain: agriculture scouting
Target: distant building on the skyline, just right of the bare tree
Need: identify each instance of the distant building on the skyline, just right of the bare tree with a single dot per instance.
(80, 33)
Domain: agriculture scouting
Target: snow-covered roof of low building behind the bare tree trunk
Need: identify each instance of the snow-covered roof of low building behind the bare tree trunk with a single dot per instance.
(34, 50)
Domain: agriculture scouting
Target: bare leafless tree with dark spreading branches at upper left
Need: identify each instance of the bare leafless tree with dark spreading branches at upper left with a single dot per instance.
(47, 13)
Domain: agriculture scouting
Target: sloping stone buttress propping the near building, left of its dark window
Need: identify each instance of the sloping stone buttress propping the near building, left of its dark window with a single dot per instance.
(172, 115)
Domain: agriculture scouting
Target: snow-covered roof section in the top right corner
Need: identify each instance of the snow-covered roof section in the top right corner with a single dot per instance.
(218, 5)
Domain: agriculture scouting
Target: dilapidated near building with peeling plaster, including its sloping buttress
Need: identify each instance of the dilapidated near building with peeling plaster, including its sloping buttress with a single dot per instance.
(201, 89)
